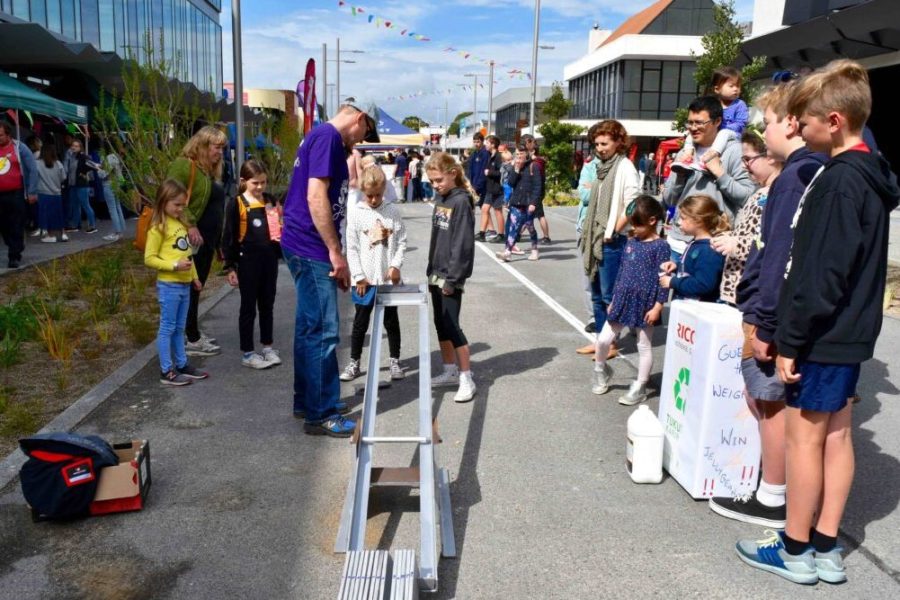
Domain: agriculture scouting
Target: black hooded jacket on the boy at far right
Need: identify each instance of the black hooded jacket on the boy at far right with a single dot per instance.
(830, 305)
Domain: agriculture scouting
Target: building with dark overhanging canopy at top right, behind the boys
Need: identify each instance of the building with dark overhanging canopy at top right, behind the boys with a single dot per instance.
(798, 35)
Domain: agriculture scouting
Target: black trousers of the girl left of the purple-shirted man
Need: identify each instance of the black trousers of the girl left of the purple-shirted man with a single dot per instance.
(257, 279)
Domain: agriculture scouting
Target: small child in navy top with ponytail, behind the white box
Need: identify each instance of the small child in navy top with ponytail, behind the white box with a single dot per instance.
(698, 274)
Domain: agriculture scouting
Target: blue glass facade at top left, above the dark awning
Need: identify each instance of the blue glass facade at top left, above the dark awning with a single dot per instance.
(184, 32)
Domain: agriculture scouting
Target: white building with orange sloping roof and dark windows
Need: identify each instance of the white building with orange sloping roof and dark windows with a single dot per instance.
(643, 71)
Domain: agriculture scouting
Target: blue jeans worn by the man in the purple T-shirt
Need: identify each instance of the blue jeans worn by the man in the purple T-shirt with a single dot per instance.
(317, 388)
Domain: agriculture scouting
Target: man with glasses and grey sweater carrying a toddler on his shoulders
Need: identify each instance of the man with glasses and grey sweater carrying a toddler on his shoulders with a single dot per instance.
(727, 181)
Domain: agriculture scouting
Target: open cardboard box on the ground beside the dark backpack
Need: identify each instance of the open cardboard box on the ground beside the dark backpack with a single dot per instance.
(124, 487)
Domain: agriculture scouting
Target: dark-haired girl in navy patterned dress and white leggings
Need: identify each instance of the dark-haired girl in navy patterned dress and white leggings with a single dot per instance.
(638, 298)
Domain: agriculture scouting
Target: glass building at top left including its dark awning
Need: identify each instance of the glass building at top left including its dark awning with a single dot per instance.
(86, 35)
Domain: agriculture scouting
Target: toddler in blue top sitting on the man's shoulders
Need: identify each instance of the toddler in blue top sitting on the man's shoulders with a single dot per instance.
(726, 86)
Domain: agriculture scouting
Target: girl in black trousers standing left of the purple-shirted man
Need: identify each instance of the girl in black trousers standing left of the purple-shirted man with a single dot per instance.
(252, 230)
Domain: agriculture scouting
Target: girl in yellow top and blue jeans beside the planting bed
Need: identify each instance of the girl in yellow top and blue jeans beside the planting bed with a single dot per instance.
(169, 252)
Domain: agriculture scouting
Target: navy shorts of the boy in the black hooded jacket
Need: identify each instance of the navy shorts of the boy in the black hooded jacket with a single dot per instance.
(822, 387)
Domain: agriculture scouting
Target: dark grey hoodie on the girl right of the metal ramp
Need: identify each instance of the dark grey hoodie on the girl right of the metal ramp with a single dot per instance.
(451, 254)
